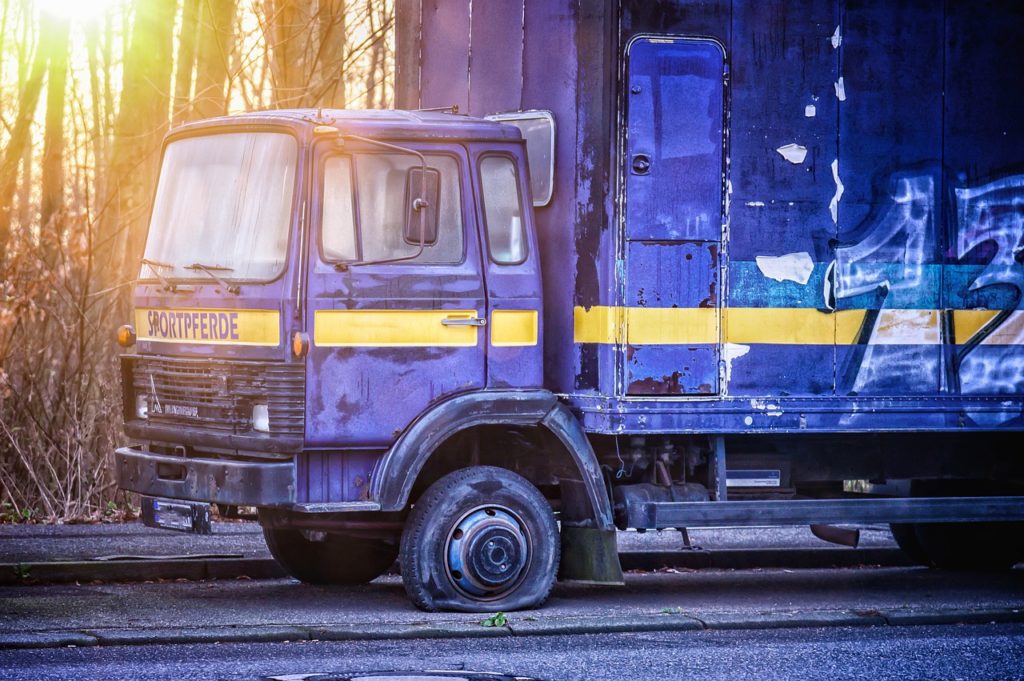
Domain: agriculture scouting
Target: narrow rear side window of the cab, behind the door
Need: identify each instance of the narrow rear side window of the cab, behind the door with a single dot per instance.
(503, 210)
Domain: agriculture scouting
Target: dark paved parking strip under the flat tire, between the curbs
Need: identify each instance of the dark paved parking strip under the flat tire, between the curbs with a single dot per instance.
(286, 611)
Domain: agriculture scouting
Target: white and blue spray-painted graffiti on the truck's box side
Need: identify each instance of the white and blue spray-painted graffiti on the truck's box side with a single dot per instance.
(909, 328)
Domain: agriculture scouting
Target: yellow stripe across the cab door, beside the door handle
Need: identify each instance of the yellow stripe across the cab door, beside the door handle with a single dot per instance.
(381, 328)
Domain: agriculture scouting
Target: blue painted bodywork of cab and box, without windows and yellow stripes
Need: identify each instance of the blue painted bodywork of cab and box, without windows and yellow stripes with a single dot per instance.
(651, 132)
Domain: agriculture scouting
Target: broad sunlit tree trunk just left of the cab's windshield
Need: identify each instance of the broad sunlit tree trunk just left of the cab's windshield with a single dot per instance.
(141, 125)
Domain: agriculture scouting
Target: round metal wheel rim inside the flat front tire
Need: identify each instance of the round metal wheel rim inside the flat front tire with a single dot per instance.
(488, 552)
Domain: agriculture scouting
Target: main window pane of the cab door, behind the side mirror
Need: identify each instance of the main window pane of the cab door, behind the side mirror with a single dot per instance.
(382, 182)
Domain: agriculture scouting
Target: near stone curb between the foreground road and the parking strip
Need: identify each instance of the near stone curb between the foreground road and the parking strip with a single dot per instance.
(519, 626)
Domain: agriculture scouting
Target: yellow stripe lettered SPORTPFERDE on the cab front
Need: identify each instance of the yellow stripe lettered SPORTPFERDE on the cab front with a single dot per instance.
(209, 326)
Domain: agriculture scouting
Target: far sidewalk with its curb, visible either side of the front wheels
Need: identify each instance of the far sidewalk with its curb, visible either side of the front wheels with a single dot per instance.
(132, 552)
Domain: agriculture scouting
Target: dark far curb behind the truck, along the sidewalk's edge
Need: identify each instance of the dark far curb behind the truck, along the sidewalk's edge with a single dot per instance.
(268, 569)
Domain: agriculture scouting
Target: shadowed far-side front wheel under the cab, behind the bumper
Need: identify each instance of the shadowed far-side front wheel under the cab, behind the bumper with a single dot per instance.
(336, 560)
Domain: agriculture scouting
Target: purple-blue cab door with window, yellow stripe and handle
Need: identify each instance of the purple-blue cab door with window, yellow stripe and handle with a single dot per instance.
(395, 328)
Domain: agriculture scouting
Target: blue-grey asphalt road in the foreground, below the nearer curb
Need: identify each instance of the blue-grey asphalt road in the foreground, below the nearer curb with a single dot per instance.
(986, 652)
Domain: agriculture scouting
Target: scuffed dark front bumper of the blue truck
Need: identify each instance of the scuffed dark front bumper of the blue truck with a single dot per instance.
(232, 483)
